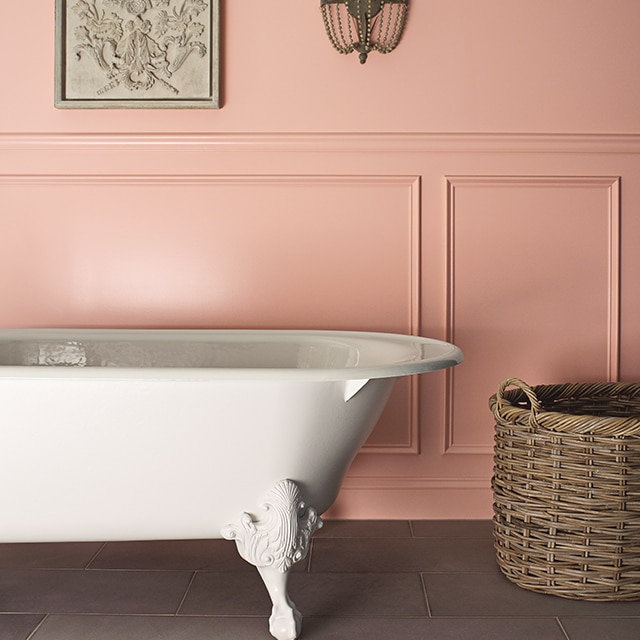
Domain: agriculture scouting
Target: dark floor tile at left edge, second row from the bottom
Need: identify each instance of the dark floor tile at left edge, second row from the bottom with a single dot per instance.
(73, 591)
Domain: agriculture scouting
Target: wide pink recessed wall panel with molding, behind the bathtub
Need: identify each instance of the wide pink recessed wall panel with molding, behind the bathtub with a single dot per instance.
(268, 251)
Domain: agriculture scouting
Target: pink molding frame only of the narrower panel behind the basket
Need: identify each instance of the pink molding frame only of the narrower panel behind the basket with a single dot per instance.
(611, 184)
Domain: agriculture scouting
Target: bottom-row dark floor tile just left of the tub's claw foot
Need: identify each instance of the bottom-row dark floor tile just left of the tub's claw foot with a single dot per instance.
(70, 627)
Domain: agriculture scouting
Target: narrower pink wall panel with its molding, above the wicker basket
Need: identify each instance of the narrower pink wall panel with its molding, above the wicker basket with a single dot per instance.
(533, 286)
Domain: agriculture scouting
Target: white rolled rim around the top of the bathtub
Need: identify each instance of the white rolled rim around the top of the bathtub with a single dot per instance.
(447, 355)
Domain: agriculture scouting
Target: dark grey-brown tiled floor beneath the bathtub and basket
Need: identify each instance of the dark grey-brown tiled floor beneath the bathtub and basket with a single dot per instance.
(378, 580)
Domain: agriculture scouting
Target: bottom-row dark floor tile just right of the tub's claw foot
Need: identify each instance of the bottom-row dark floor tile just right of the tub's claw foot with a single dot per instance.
(335, 628)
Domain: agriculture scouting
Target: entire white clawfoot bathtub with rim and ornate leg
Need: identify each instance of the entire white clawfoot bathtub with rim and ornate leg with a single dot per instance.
(168, 434)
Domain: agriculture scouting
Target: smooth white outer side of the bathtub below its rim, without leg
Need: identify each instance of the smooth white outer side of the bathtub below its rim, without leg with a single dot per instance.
(119, 459)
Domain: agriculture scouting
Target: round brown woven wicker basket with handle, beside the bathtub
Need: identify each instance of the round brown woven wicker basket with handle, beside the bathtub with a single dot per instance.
(567, 488)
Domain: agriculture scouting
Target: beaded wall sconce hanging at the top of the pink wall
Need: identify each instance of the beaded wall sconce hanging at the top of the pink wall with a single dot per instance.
(364, 25)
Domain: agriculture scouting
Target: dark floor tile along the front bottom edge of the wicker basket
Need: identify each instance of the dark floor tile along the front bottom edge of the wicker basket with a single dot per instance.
(491, 594)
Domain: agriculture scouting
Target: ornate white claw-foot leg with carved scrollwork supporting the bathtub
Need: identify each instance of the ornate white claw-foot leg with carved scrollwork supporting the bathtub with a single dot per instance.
(273, 540)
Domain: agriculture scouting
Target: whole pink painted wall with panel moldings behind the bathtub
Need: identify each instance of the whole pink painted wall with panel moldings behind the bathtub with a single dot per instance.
(478, 184)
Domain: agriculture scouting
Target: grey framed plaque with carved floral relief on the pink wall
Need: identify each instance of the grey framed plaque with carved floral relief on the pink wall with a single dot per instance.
(137, 54)
